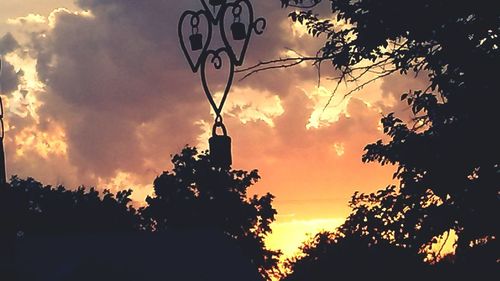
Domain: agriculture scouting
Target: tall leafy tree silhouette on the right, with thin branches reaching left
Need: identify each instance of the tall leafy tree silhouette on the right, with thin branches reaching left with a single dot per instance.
(448, 156)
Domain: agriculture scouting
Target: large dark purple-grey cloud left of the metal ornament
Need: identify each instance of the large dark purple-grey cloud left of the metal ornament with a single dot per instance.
(112, 73)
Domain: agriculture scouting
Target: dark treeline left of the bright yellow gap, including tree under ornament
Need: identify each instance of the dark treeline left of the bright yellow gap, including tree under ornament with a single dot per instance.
(193, 195)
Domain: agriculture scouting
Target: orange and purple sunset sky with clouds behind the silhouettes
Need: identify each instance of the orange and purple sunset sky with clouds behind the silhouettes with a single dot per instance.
(98, 93)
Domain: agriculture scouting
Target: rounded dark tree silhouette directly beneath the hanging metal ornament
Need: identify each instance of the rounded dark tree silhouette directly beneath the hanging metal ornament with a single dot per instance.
(195, 194)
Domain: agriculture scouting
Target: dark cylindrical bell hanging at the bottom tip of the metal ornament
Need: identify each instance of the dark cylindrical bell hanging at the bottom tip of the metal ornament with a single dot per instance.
(220, 148)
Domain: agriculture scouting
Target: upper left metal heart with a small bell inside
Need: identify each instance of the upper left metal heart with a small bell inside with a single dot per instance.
(195, 58)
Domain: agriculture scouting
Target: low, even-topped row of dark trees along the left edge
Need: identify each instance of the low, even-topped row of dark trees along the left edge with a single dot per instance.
(29, 208)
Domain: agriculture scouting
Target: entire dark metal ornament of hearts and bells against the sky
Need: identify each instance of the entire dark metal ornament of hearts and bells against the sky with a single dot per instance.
(214, 16)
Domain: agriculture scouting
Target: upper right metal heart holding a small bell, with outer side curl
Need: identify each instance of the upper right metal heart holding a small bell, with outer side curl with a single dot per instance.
(238, 55)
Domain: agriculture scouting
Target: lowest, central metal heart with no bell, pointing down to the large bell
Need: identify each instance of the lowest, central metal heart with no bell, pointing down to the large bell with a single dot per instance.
(216, 60)
